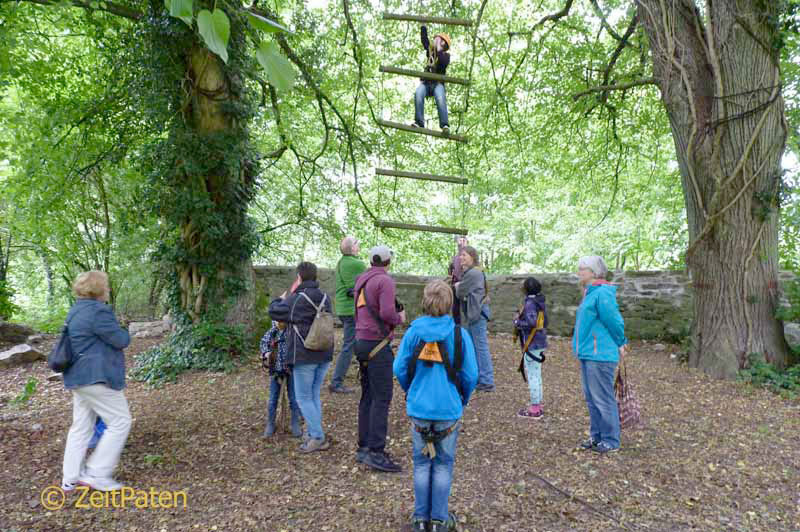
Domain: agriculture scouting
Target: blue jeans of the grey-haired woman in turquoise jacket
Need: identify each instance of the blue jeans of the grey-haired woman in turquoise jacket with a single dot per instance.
(598, 388)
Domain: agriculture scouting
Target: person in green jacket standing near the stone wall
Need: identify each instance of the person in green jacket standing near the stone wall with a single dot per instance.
(348, 268)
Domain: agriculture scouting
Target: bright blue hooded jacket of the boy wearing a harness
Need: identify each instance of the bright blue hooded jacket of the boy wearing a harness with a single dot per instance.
(431, 395)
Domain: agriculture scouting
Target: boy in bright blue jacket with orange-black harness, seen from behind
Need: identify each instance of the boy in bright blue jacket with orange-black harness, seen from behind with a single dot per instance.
(438, 376)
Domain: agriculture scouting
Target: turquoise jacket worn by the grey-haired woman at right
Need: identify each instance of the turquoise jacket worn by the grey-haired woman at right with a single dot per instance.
(599, 327)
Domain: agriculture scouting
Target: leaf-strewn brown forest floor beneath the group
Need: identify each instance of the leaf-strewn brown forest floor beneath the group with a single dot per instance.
(711, 456)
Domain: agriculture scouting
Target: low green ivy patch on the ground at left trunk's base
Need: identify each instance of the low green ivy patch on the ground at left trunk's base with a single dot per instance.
(209, 346)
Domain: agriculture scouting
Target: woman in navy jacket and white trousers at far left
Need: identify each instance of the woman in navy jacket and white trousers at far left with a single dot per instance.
(96, 379)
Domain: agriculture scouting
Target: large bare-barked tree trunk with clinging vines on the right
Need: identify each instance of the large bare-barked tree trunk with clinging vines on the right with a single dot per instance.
(720, 84)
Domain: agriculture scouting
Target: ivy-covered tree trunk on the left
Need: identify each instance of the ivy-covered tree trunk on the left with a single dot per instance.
(209, 186)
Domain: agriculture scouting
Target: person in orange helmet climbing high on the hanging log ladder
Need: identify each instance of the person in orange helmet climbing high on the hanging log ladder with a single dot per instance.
(437, 59)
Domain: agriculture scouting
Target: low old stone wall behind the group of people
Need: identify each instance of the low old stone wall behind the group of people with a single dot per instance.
(655, 305)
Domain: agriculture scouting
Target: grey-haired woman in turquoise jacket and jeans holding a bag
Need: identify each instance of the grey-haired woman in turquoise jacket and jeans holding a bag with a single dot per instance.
(599, 343)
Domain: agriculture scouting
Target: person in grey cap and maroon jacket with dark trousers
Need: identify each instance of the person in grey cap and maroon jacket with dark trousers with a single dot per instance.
(376, 317)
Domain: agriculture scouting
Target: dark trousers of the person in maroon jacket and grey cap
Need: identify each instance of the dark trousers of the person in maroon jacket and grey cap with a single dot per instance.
(376, 394)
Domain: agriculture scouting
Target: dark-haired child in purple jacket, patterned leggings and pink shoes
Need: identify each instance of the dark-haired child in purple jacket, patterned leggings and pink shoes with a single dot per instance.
(532, 320)
